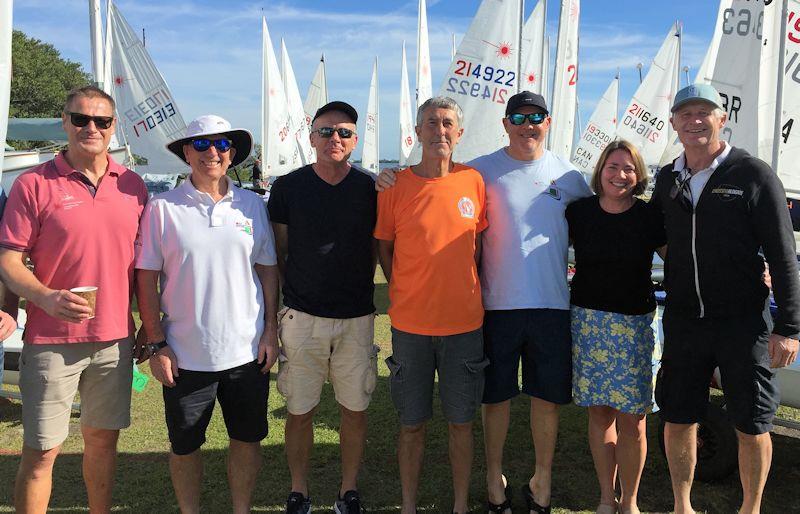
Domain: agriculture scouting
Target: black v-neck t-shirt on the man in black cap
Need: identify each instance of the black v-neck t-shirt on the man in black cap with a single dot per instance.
(329, 270)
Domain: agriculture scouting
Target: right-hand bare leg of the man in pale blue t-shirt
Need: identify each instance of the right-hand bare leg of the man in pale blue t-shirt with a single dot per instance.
(544, 428)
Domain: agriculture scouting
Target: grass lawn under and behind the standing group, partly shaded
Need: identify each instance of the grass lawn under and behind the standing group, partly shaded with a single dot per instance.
(143, 484)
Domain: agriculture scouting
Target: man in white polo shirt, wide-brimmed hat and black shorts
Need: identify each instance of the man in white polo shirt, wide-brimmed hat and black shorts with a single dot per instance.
(211, 246)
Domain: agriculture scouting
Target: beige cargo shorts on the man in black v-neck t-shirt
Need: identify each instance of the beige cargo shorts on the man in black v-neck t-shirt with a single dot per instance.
(315, 349)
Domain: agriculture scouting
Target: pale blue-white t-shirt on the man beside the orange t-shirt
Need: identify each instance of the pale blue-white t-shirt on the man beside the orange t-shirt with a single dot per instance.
(524, 257)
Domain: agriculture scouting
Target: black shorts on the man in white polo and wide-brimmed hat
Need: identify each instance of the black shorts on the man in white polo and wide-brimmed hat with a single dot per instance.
(242, 393)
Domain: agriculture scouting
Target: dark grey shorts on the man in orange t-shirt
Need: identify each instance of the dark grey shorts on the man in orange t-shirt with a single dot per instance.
(459, 361)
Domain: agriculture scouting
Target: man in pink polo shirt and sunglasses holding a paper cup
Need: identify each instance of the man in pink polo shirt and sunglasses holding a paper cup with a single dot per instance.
(76, 218)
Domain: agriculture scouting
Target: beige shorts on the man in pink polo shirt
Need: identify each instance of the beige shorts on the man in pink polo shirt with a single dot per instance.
(50, 374)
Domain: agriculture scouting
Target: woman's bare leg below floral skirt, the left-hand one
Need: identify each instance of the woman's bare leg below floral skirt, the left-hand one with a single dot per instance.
(603, 443)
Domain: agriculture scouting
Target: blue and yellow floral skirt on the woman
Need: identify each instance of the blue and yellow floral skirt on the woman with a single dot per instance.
(612, 360)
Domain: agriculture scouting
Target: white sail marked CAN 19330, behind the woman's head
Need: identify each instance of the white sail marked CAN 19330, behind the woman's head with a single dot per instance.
(600, 130)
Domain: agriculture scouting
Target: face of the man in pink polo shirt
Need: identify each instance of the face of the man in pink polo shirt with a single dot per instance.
(88, 141)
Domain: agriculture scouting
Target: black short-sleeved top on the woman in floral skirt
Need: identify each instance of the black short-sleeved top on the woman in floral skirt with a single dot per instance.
(613, 256)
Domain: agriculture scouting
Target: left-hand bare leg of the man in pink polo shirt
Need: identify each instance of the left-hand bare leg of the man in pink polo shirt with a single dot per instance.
(34, 480)
